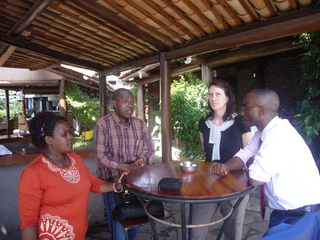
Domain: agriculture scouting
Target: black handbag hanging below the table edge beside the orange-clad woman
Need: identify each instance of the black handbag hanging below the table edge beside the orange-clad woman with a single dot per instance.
(128, 207)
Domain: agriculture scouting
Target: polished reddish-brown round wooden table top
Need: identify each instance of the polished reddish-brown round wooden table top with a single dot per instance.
(201, 185)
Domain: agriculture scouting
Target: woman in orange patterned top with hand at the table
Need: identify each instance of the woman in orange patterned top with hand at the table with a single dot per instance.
(54, 188)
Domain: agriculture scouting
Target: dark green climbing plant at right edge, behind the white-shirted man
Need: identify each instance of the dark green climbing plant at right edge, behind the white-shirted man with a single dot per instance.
(307, 122)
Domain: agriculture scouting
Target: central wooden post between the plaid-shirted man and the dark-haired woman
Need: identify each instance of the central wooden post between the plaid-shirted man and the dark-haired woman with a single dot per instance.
(166, 128)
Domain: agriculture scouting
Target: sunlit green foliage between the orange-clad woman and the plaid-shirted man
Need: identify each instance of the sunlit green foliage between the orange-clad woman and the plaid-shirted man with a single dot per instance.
(85, 109)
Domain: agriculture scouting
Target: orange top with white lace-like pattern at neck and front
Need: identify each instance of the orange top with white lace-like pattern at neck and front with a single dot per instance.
(56, 199)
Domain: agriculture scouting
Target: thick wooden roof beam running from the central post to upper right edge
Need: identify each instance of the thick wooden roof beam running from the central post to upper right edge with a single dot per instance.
(282, 26)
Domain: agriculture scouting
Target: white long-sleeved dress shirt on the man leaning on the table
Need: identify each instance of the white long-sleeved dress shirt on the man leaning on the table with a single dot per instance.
(284, 162)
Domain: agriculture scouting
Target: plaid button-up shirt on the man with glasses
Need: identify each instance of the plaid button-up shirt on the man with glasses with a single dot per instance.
(115, 143)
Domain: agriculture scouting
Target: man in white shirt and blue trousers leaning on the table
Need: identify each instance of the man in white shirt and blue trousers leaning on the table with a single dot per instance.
(278, 158)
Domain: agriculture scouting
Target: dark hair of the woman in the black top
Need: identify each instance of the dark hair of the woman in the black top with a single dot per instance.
(230, 93)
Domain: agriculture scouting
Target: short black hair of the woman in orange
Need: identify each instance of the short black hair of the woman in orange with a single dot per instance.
(41, 125)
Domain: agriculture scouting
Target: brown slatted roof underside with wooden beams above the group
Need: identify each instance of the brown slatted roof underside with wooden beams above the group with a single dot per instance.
(129, 35)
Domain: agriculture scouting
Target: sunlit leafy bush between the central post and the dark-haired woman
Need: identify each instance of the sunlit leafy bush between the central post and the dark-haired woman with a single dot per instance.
(188, 101)
